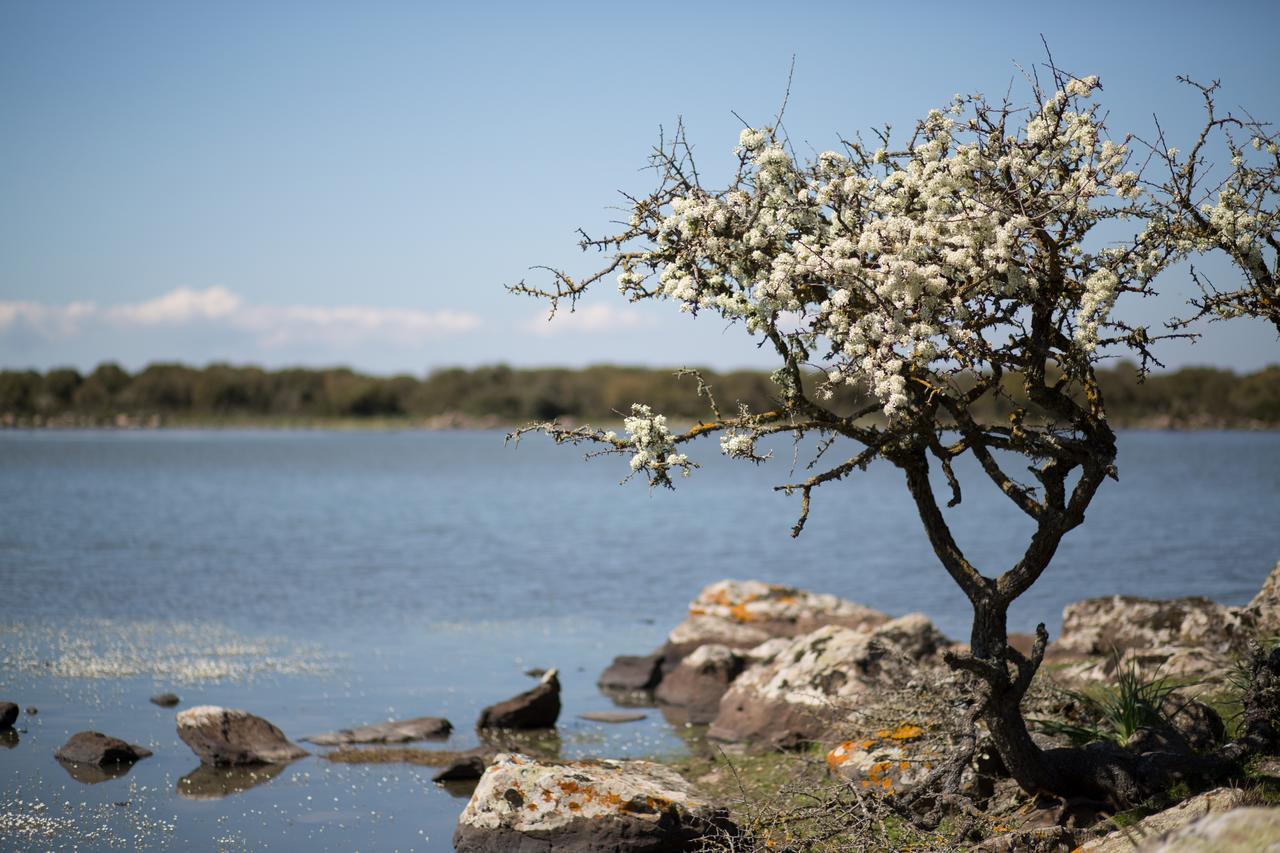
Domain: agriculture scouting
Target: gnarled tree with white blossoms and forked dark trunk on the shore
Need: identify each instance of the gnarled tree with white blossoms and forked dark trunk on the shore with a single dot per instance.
(963, 264)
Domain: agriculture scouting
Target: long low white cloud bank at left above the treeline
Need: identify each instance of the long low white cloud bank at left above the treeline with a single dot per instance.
(218, 308)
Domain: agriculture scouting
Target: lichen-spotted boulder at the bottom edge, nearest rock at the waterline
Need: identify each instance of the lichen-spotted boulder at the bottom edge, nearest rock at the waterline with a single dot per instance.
(586, 806)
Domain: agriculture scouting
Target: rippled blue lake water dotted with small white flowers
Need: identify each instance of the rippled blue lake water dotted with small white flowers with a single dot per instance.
(330, 580)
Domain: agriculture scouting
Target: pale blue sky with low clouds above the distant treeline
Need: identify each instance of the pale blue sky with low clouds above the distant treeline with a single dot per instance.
(354, 184)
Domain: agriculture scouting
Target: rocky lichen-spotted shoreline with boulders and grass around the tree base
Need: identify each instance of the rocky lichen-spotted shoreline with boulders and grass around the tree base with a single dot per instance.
(792, 695)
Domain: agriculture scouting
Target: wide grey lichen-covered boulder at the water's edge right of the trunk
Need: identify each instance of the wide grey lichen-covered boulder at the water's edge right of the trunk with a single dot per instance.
(1121, 623)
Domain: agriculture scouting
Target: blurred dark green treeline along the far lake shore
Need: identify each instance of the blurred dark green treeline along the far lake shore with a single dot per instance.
(175, 394)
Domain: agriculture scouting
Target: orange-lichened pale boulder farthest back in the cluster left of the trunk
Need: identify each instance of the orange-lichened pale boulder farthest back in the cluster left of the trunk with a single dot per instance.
(742, 614)
